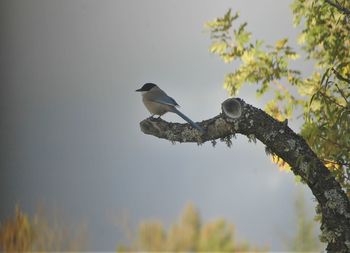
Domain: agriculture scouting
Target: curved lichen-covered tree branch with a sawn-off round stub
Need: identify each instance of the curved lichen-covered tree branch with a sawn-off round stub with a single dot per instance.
(237, 117)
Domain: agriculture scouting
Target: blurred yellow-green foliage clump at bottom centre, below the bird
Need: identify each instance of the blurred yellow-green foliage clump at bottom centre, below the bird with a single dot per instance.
(188, 234)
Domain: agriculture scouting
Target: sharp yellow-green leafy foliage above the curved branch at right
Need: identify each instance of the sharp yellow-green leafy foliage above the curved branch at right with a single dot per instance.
(323, 96)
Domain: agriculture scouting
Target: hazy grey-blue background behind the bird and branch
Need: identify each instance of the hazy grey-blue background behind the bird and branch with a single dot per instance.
(69, 128)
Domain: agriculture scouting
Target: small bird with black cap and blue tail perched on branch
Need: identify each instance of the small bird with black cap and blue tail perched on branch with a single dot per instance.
(158, 102)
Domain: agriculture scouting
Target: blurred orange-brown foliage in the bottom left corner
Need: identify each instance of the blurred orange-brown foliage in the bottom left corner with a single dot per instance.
(24, 234)
